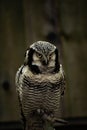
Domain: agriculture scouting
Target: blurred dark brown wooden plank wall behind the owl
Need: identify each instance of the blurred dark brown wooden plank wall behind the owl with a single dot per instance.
(62, 22)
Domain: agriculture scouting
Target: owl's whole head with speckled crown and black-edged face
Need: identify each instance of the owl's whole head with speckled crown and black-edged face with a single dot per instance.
(42, 57)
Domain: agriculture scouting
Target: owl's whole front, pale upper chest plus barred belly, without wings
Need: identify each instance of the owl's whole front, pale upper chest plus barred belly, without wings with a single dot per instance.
(41, 91)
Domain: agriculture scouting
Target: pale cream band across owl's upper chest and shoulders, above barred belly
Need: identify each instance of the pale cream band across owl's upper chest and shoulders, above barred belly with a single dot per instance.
(55, 78)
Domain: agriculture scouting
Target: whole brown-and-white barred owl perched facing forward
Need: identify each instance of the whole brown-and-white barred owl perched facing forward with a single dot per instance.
(40, 84)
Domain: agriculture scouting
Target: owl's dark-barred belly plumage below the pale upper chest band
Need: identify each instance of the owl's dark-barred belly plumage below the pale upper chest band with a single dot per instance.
(40, 95)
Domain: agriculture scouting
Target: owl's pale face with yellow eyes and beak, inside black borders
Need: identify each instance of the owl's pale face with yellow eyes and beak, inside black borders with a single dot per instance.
(43, 62)
